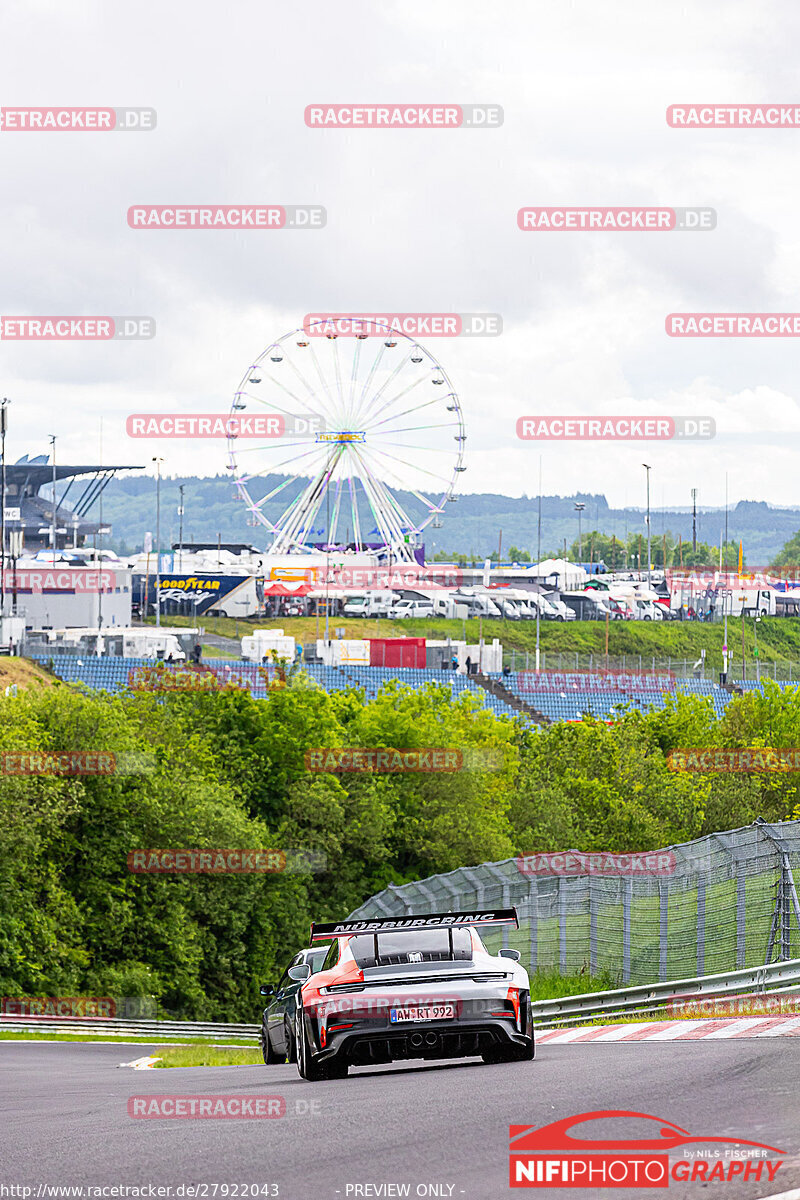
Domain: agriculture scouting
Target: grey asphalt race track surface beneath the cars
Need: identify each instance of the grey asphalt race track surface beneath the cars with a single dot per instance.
(442, 1131)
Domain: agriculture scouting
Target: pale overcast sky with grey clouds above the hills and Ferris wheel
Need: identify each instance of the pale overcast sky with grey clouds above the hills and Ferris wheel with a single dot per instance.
(418, 220)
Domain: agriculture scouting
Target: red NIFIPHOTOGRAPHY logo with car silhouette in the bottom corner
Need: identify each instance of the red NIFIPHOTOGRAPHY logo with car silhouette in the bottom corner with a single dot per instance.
(552, 1157)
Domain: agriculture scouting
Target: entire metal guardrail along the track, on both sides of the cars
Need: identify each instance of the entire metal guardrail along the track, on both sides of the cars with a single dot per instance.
(780, 977)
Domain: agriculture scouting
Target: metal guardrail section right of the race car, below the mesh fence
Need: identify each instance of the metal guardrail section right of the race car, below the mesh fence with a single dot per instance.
(647, 998)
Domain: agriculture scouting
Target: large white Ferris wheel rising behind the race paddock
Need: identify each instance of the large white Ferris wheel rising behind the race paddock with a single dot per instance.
(371, 448)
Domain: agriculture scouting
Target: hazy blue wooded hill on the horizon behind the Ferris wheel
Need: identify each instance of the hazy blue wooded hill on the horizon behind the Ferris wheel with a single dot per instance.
(472, 525)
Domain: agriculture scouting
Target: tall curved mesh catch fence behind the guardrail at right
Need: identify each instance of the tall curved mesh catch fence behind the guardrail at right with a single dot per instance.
(714, 905)
